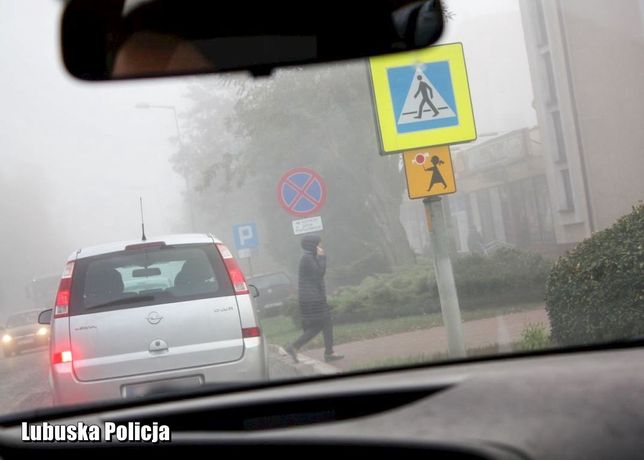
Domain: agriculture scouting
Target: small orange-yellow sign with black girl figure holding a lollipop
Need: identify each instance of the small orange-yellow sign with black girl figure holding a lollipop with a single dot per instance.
(429, 172)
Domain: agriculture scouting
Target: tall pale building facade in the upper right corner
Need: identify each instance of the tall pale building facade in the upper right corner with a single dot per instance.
(587, 64)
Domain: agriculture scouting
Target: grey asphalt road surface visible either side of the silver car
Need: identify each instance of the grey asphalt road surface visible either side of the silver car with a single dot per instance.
(24, 381)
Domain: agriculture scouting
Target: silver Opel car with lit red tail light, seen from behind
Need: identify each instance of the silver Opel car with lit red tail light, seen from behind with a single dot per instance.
(143, 317)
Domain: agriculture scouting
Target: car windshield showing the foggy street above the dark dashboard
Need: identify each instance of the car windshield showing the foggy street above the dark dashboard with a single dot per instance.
(476, 198)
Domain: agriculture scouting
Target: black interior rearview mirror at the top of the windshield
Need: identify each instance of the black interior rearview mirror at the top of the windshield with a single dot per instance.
(115, 39)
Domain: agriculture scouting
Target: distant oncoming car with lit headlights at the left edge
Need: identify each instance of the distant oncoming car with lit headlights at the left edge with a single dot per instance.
(22, 332)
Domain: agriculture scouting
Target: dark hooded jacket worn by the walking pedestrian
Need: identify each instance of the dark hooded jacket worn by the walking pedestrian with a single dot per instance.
(312, 290)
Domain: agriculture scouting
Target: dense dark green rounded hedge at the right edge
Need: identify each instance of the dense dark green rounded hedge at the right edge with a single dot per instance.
(595, 293)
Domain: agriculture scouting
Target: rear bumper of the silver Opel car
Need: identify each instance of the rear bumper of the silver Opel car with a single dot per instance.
(252, 367)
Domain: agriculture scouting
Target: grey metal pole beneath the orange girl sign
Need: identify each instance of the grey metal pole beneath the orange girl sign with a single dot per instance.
(445, 276)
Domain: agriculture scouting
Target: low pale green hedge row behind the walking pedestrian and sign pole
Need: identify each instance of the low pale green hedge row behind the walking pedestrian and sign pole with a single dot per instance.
(508, 276)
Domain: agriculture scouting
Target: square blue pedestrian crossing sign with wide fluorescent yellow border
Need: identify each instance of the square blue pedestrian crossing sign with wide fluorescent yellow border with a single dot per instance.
(422, 98)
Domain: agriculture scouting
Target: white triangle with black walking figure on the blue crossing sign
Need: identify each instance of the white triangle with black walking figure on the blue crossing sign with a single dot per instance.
(426, 94)
